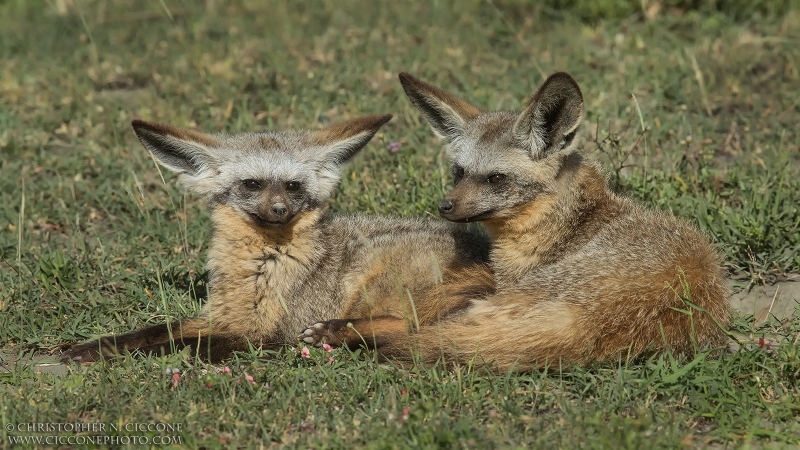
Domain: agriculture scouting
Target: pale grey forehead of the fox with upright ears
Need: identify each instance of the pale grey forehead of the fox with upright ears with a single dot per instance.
(488, 145)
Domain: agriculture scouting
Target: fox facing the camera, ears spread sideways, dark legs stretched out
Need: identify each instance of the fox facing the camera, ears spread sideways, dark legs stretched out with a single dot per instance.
(277, 261)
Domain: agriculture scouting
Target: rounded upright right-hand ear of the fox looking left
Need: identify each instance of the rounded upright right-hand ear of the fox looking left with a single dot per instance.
(552, 116)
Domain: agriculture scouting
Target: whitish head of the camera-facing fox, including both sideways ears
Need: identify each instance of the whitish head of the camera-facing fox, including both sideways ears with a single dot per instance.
(267, 178)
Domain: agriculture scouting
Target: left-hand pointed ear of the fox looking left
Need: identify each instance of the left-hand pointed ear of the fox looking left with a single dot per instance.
(446, 113)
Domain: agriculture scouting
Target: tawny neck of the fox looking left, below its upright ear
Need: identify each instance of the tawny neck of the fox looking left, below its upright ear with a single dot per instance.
(542, 231)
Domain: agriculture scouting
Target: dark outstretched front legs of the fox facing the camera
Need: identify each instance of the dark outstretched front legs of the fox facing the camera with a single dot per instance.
(161, 339)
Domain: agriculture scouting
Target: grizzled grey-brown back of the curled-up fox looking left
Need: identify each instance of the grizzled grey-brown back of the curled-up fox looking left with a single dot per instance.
(636, 253)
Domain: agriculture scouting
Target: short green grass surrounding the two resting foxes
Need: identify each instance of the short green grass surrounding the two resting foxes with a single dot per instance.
(695, 113)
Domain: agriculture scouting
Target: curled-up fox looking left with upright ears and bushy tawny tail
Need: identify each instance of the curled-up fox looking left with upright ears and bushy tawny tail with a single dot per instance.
(582, 275)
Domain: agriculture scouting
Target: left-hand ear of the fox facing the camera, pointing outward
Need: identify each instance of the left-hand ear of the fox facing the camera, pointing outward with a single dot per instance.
(184, 151)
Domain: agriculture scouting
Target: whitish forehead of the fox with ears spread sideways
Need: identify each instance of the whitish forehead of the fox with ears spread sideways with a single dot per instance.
(267, 156)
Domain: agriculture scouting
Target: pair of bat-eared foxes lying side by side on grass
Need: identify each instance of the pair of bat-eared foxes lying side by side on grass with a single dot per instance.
(562, 271)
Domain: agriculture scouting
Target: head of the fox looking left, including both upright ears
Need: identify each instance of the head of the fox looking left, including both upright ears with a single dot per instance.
(500, 160)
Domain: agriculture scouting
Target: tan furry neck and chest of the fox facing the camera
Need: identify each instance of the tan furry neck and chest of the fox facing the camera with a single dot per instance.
(255, 272)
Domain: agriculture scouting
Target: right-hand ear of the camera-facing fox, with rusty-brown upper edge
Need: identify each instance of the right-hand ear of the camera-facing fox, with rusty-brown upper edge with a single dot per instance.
(341, 141)
